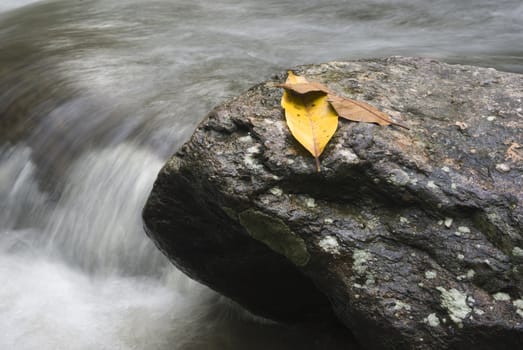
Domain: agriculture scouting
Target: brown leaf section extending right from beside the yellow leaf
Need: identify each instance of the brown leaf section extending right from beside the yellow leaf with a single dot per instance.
(360, 111)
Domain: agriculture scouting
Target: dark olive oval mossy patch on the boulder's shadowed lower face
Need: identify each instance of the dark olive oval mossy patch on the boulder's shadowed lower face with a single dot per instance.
(276, 235)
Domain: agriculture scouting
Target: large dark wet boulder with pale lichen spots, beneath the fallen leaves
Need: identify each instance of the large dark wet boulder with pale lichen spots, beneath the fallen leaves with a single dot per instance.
(411, 238)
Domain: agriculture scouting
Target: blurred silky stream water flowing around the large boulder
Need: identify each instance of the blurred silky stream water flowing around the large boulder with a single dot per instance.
(94, 97)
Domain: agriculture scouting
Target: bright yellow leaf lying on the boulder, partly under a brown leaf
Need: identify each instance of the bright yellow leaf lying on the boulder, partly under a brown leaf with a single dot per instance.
(310, 117)
